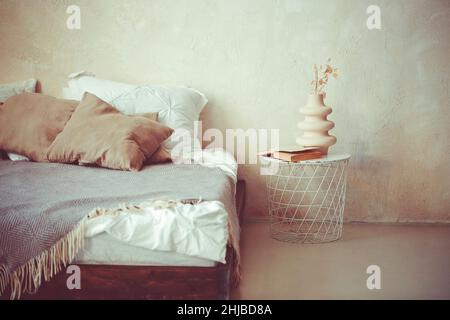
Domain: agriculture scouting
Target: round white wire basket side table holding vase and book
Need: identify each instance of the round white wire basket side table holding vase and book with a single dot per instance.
(307, 198)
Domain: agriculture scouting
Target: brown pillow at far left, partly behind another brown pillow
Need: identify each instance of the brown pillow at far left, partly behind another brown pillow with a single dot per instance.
(30, 122)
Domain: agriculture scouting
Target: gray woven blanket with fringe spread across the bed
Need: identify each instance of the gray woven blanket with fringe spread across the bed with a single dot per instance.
(42, 203)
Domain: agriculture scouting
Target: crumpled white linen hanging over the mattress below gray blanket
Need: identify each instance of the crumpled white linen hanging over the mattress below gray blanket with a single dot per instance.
(199, 230)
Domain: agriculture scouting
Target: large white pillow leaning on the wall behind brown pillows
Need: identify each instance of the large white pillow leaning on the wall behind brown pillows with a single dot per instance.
(177, 107)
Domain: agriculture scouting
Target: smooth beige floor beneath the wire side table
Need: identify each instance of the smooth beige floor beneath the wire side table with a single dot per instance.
(414, 262)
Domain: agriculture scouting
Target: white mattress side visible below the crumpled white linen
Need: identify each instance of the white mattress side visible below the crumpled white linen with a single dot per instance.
(104, 249)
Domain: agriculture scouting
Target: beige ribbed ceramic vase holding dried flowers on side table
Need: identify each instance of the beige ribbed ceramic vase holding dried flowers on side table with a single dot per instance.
(315, 126)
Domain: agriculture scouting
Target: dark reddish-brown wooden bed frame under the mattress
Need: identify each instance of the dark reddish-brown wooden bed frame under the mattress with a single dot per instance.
(147, 282)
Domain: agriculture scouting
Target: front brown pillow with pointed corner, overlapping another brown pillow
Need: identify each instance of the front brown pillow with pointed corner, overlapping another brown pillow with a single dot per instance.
(97, 133)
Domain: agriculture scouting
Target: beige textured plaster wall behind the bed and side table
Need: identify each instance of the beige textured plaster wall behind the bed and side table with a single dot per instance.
(252, 58)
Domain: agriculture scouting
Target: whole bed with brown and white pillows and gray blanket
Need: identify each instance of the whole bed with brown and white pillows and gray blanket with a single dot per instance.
(144, 230)
